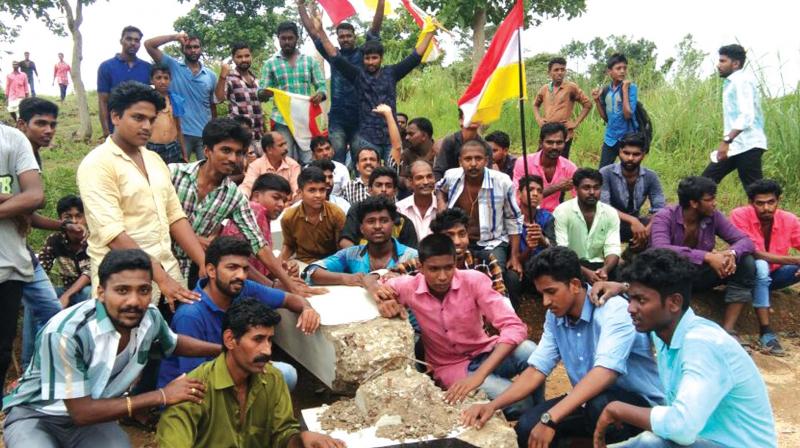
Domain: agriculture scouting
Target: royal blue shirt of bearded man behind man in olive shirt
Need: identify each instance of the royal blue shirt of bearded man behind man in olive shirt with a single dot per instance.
(203, 320)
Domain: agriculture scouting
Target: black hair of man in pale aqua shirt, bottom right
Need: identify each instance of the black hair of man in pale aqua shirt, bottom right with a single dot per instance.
(662, 270)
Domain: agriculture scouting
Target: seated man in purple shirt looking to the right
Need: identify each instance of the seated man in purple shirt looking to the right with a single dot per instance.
(690, 228)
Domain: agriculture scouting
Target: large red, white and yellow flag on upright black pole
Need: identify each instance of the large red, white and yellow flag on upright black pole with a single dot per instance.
(497, 78)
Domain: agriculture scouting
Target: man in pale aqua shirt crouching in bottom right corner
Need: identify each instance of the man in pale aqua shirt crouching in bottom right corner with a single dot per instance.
(715, 395)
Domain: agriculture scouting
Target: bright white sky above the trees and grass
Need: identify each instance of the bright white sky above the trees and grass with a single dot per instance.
(764, 28)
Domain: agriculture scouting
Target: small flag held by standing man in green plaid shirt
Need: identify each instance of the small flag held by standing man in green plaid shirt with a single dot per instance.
(305, 119)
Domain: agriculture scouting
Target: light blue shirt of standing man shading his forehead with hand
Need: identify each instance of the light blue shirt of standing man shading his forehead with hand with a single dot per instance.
(197, 91)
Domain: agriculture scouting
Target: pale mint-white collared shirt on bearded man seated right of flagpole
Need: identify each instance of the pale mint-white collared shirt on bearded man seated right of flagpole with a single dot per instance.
(591, 244)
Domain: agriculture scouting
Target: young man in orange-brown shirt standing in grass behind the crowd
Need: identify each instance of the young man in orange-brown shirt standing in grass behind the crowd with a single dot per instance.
(557, 100)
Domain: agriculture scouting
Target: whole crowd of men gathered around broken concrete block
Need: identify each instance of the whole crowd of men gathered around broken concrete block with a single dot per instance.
(169, 277)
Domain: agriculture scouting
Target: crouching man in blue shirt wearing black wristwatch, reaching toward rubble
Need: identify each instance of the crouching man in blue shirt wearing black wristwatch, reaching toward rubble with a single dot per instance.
(605, 359)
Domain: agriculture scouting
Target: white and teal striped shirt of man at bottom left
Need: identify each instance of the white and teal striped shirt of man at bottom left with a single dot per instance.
(75, 355)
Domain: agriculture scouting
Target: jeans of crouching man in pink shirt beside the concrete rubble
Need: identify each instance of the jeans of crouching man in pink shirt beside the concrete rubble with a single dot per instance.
(500, 379)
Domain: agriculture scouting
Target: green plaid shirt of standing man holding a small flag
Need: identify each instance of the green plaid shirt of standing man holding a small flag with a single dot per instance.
(305, 77)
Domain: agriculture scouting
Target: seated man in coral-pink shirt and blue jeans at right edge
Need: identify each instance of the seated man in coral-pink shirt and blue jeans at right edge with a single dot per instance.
(773, 231)
